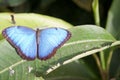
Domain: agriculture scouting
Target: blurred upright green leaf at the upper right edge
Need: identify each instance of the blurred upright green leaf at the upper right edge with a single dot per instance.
(113, 21)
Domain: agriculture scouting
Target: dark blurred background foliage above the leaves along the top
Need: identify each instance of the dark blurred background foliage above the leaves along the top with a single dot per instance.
(73, 11)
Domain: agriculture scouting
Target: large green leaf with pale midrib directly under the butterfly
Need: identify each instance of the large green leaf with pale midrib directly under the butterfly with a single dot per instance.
(85, 40)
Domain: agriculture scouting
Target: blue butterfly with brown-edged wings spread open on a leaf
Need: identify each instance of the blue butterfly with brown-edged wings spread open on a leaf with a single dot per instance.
(30, 44)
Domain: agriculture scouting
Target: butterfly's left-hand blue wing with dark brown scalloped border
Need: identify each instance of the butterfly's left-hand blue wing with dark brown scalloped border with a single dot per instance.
(23, 39)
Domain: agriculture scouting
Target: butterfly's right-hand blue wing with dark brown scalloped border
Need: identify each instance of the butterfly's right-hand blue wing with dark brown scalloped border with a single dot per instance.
(50, 40)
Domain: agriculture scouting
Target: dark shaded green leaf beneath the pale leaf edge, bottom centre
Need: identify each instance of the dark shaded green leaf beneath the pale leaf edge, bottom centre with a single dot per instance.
(74, 70)
